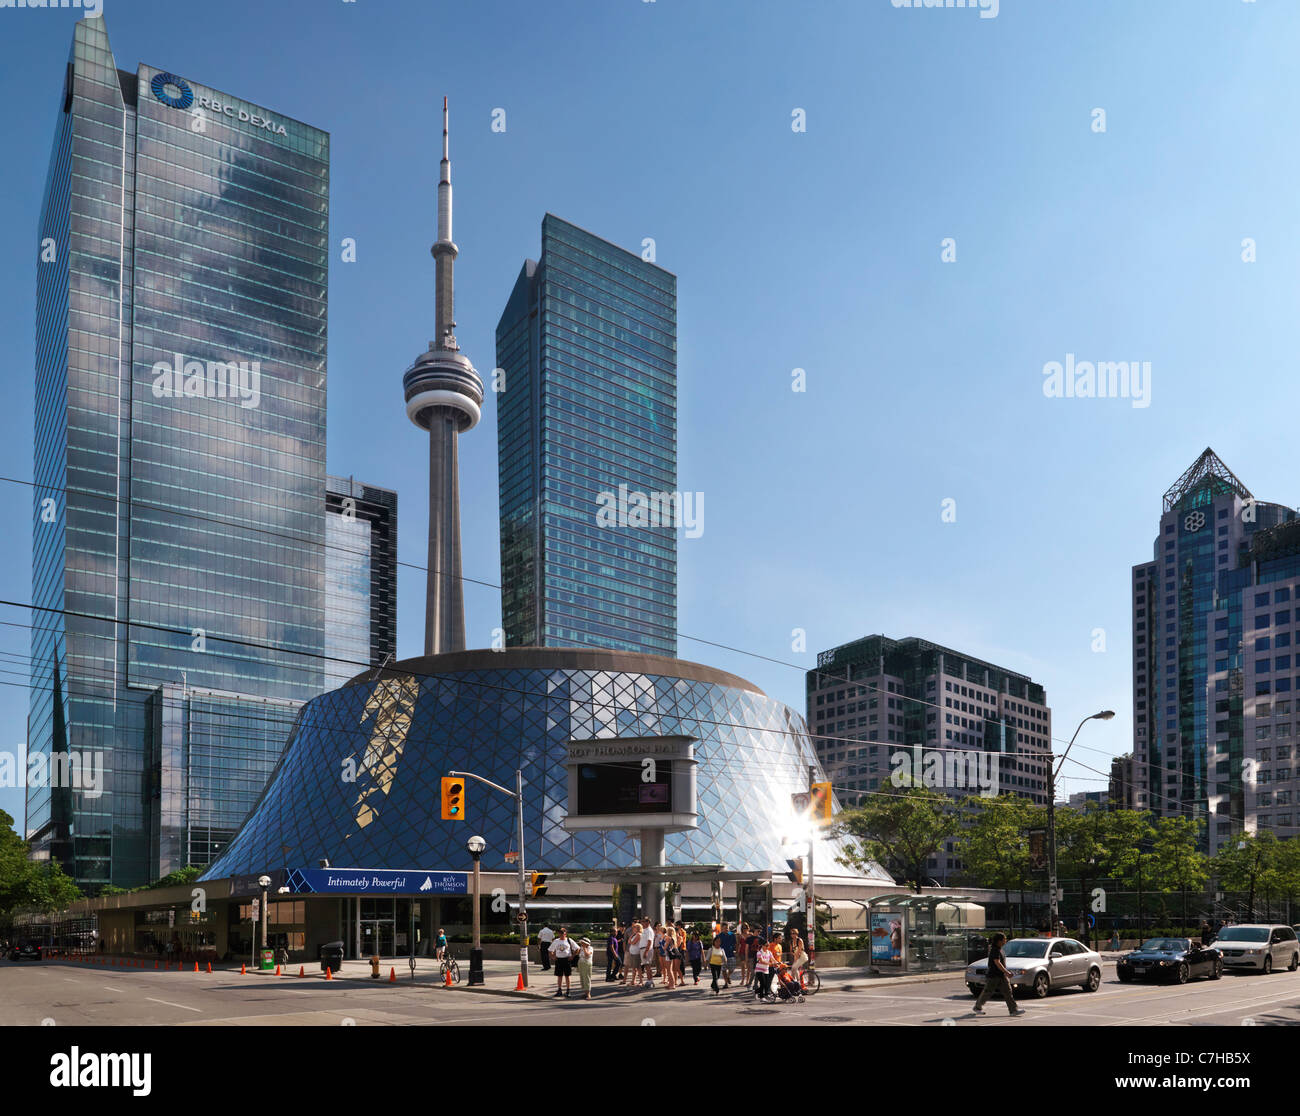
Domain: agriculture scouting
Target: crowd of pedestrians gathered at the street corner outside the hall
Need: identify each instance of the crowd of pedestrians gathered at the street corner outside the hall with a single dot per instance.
(647, 955)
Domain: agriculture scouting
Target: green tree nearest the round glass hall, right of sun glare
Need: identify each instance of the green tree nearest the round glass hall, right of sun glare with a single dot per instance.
(900, 829)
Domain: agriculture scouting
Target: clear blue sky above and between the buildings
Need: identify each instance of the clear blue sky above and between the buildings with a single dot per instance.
(817, 250)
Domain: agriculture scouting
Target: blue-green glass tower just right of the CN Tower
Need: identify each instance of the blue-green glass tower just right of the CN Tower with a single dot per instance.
(587, 423)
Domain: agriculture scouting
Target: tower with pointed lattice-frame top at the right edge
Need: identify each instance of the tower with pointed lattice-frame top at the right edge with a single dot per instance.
(1215, 676)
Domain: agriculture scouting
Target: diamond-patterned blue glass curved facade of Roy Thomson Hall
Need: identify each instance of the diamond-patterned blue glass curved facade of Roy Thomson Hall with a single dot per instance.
(404, 733)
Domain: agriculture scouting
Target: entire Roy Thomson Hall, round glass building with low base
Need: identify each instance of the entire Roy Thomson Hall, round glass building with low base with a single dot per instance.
(350, 836)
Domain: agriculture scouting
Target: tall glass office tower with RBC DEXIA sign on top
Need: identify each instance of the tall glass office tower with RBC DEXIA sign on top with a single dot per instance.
(180, 438)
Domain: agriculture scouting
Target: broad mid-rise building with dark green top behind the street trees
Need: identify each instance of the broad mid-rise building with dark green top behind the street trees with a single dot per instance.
(887, 712)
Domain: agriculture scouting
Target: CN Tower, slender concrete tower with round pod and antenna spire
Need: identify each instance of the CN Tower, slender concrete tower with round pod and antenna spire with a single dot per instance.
(444, 396)
